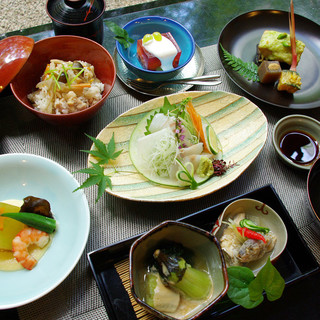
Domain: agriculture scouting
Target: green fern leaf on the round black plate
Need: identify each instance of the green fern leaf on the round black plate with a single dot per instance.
(248, 70)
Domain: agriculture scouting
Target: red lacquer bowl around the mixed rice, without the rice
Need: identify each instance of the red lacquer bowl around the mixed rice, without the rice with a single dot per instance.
(68, 48)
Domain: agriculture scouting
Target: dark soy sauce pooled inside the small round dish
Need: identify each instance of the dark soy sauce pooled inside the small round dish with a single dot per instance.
(299, 147)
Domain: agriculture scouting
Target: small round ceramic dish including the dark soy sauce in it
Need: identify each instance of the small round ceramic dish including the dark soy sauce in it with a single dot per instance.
(296, 140)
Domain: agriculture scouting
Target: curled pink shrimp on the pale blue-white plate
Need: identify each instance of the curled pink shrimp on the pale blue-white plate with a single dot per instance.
(21, 243)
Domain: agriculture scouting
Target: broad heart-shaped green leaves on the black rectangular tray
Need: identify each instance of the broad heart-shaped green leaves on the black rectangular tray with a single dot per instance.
(247, 290)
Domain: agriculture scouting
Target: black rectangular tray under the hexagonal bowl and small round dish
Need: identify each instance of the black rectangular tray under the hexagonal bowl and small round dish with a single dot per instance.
(295, 263)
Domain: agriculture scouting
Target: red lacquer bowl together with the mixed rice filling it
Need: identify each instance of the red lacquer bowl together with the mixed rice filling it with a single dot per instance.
(66, 79)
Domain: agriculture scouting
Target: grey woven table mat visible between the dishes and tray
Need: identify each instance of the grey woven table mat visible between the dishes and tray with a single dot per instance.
(114, 219)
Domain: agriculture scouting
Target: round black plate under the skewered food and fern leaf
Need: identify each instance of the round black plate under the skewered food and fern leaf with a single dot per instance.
(241, 36)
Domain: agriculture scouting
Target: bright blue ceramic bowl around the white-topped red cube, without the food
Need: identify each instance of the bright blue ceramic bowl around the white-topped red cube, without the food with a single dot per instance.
(137, 28)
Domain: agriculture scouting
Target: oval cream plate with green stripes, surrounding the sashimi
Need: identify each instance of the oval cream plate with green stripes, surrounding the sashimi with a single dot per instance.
(240, 125)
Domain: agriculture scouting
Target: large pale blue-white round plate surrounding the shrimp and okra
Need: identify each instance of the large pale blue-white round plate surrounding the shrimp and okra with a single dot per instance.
(23, 175)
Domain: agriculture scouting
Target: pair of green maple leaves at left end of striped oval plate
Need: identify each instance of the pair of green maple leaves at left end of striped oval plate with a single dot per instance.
(104, 153)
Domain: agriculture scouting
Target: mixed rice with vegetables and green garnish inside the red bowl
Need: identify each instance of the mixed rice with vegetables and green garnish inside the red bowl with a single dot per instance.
(66, 87)
